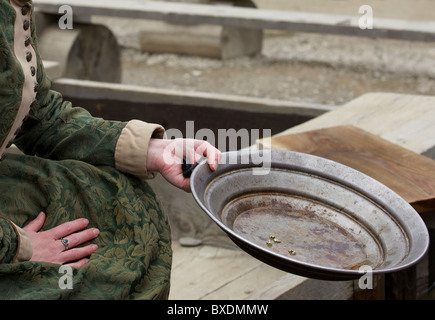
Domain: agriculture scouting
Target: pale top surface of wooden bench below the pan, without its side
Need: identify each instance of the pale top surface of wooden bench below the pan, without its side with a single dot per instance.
(211, 272)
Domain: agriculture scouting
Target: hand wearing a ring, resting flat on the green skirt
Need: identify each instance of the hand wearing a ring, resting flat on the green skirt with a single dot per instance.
(48, 246)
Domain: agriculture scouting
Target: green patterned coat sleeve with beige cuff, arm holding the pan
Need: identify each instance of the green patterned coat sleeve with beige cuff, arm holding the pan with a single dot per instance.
(56, 129)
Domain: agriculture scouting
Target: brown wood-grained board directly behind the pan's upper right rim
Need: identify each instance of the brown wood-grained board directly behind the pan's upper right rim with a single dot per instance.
(409, 174)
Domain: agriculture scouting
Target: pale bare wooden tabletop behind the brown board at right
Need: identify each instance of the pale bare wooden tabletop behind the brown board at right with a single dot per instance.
(406, 120)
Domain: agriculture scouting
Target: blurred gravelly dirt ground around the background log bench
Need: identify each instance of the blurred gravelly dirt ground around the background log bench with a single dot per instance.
(313, 68)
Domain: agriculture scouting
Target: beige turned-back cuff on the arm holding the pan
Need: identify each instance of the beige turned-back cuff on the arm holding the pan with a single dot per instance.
(132, 147)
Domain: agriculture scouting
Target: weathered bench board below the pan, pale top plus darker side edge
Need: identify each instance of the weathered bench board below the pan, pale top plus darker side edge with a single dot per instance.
(216, 273)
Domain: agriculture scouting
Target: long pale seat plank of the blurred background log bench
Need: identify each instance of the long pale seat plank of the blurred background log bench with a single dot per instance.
(183, 13)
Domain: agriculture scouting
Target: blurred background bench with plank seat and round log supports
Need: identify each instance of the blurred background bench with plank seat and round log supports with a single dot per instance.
(186, 29)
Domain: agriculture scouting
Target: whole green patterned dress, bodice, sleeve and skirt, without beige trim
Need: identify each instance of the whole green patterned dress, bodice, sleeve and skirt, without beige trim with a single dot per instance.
(68, 173)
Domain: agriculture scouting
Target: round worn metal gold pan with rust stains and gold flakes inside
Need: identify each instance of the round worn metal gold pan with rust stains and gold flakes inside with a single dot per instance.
(310, 216)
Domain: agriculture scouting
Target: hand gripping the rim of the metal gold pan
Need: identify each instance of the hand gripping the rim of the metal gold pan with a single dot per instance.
(166, 156)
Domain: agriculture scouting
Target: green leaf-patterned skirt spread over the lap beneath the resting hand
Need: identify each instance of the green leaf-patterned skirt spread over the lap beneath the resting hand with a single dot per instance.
(133, 260)
